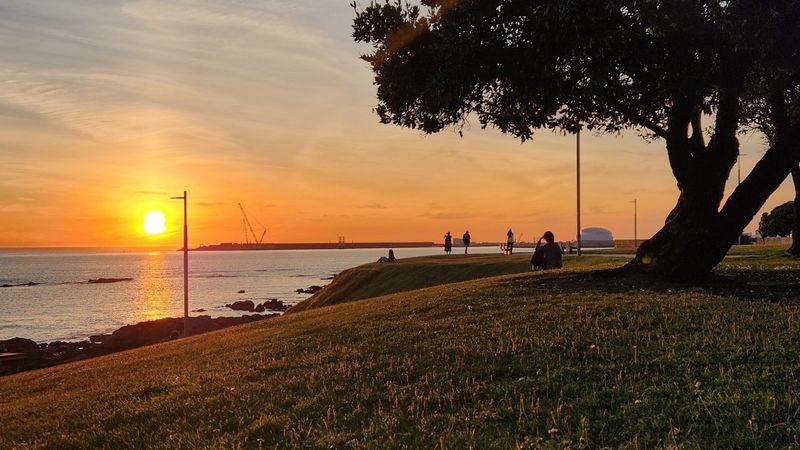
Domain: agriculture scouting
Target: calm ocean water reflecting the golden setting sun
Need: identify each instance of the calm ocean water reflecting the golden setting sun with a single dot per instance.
(63, 305)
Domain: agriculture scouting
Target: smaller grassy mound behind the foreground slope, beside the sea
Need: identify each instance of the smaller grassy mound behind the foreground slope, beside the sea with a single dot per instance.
(375, 279)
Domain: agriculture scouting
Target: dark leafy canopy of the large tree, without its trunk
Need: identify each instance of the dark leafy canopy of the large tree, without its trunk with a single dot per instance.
(521, 65)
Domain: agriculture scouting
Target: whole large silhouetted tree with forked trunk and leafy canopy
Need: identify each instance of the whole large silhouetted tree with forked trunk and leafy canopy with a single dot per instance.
(657, 66)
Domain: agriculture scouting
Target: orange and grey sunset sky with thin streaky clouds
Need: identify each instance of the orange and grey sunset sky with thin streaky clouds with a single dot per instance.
(108, 108)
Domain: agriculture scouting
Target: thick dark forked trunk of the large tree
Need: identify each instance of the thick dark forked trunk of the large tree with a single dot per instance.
(697, 235)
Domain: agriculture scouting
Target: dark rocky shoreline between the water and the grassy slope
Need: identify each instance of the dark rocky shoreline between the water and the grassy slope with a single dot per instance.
(20, 354)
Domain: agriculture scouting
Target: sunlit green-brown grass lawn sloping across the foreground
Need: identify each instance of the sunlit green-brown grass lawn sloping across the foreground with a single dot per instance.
(526, 361)
